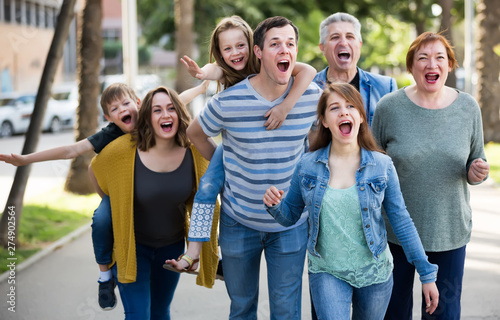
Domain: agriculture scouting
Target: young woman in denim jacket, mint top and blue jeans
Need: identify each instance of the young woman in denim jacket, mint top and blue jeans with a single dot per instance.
(344, 183)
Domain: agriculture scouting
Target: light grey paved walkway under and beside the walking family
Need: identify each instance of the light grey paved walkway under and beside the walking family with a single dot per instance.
(62, 284)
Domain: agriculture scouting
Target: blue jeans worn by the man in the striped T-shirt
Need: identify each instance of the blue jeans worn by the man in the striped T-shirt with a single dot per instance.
(284, 251)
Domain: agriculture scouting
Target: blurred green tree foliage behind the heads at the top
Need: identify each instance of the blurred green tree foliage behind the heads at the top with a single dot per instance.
(385, 24)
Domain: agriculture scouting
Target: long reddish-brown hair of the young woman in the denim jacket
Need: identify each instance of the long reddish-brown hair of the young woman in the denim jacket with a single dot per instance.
(323, 136)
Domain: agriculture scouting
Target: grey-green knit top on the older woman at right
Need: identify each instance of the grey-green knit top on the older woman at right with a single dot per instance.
(432, 150)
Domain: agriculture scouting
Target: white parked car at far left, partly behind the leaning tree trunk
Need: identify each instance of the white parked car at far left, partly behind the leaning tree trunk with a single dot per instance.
(16, 110)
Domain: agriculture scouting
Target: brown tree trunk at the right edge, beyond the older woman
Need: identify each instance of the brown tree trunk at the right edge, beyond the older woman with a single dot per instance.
(488, 67)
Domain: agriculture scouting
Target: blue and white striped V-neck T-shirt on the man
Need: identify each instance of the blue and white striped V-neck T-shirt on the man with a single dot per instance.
(256, 158)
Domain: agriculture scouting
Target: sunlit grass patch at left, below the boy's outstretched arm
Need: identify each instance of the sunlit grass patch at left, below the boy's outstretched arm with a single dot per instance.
(47, 218)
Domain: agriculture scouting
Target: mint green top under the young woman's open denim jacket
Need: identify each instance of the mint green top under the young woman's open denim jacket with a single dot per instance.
(342, 243)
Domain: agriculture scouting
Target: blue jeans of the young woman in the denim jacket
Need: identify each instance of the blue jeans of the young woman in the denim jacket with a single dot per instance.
(333, 297)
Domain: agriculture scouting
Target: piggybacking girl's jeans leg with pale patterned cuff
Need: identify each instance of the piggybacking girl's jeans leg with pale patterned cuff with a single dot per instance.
(204, 201)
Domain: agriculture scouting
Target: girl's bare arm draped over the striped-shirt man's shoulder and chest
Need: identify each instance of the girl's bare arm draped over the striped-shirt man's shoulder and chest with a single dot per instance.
(304, 75)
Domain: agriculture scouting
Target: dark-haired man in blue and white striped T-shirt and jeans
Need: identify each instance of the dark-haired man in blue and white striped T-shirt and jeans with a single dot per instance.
(255, 158)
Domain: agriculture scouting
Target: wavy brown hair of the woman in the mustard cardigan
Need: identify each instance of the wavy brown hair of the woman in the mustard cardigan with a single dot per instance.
(144, 134)
